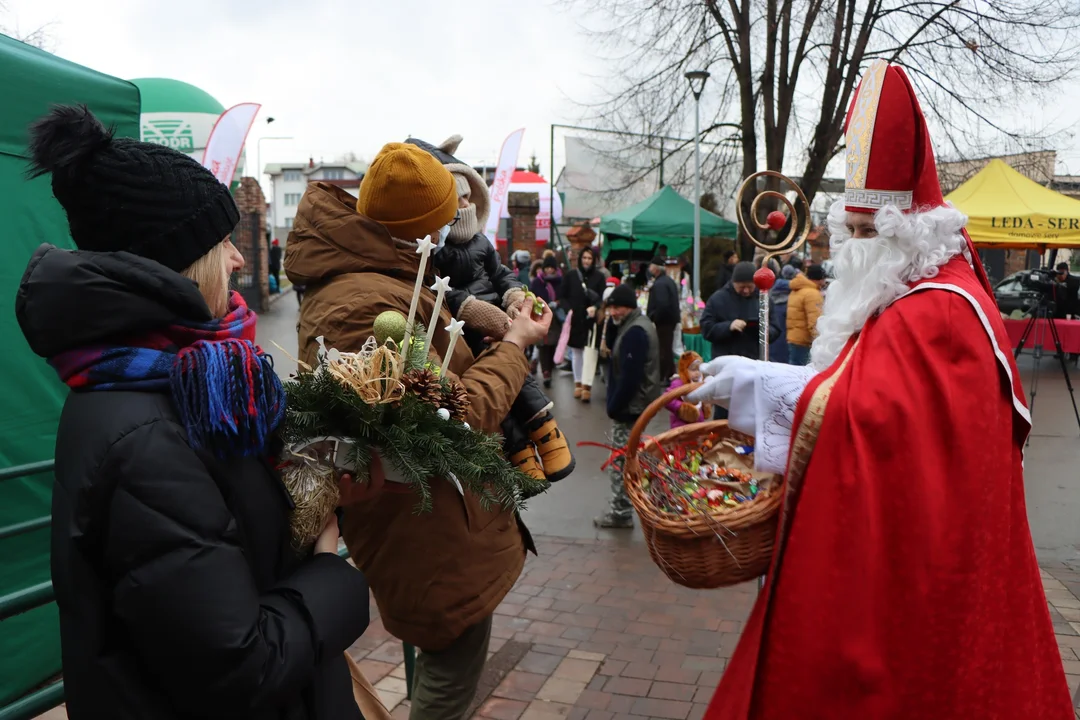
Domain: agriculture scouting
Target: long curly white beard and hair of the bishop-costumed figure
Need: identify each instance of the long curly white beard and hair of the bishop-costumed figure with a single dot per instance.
(872, 274)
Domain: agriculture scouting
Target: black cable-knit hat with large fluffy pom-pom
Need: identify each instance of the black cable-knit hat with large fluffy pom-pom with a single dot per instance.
(123, 195)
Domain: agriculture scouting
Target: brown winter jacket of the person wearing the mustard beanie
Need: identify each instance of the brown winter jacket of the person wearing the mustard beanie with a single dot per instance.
(435, 575)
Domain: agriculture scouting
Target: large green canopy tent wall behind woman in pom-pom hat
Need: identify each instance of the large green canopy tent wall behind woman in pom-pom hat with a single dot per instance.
(34, 81)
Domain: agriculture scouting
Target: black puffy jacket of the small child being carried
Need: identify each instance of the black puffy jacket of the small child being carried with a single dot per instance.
(475, 268)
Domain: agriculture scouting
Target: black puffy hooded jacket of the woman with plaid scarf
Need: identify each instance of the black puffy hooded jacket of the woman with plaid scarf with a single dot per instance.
(180, 593)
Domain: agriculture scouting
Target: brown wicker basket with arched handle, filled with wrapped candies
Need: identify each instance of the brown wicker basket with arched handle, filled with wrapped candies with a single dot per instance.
(698, 552)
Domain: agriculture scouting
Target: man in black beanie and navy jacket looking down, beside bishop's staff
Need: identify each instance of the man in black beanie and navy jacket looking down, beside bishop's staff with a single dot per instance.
(731, 320)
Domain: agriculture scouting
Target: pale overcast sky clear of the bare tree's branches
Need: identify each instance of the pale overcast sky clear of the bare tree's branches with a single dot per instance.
(348, 76)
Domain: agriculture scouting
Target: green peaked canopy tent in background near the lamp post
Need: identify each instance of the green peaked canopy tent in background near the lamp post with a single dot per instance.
(666, 219)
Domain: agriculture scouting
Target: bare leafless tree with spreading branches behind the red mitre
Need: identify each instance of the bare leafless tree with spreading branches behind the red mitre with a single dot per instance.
(785, 72)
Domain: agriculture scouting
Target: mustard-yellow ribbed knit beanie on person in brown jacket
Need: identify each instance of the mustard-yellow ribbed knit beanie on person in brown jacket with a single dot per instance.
(409, 192)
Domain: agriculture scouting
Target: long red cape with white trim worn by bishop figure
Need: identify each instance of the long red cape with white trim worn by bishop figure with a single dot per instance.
(906, 583)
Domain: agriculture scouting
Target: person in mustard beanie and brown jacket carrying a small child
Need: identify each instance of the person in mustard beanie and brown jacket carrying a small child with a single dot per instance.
(437, 577)
